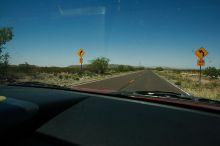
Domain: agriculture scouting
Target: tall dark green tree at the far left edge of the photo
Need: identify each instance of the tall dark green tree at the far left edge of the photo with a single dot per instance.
(6, 34)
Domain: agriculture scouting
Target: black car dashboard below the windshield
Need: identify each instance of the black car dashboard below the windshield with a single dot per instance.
(44, 116)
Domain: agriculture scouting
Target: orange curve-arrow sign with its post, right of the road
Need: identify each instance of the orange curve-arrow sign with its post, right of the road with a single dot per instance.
(201, 53)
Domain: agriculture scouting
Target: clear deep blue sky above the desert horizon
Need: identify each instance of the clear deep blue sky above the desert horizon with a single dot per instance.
(135, 32)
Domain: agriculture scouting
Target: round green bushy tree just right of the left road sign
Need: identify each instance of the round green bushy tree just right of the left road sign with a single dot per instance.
(99, 65)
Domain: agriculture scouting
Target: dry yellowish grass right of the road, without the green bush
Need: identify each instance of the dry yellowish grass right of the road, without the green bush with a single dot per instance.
(189, 82)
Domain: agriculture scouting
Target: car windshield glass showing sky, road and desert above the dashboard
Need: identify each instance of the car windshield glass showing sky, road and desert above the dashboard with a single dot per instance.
(113, 45)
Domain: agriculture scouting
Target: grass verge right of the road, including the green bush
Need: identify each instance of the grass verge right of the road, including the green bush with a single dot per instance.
(188, 80)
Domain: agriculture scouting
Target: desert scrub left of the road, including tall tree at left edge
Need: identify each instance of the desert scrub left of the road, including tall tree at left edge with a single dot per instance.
(99, 68)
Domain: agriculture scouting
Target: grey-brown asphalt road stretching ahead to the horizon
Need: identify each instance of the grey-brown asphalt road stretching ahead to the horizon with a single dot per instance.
(144, 80)
